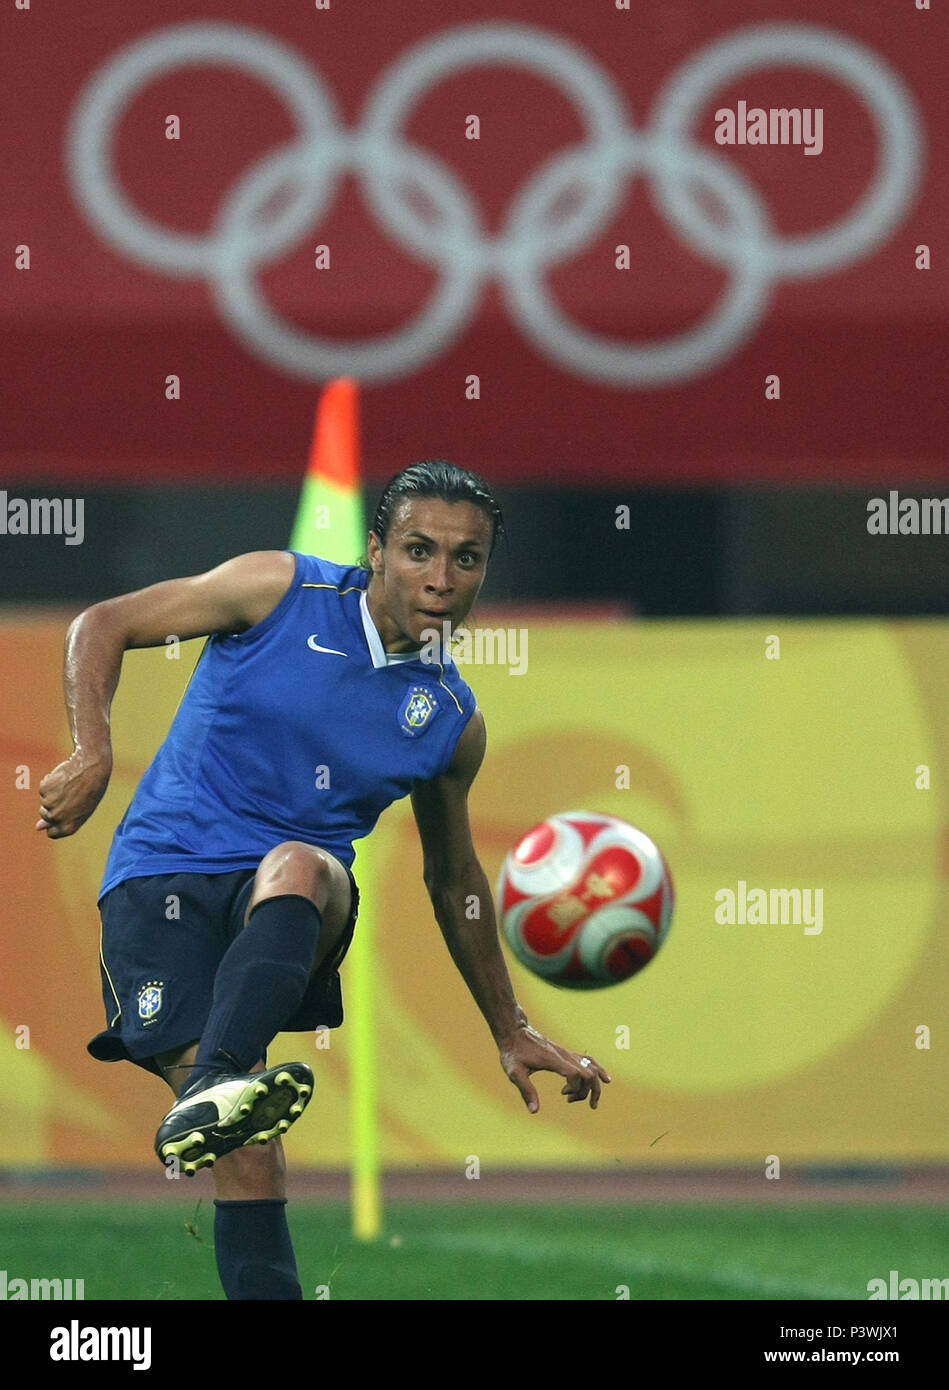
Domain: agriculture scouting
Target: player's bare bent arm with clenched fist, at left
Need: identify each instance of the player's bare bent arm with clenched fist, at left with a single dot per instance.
(230, 598)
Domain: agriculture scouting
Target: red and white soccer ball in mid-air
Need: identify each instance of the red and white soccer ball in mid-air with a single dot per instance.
(586, 900)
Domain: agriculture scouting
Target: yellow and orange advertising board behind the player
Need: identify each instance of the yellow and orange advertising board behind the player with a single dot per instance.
(777, 764)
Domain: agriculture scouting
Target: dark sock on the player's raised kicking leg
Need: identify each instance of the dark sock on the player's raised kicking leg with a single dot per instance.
(259, 985)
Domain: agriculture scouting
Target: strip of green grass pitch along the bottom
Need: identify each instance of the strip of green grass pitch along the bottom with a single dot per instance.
(480, 1252)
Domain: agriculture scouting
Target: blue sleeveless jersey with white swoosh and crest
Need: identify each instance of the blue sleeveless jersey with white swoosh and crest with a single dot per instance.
(297, 729)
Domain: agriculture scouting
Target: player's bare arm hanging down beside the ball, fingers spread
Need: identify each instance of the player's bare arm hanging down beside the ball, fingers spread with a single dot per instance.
(454, 879)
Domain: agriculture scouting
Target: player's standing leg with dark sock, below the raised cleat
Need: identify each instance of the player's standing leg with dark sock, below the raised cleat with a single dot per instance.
(252, 1241)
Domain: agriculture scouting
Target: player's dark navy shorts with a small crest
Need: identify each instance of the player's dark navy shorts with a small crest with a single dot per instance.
(162, 942)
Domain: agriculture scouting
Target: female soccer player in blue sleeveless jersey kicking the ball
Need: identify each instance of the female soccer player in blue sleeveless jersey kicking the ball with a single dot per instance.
(229, 900)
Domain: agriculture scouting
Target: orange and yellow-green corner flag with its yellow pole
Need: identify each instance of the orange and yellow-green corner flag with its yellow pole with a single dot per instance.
(331, 523)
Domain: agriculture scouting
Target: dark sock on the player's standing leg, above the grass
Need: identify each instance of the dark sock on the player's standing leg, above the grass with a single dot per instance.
(254, 1249)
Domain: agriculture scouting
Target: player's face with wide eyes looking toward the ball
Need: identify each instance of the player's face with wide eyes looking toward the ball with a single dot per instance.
(430, 572)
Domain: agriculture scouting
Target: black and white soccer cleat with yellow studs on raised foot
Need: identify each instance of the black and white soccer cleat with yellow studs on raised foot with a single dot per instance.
(227, 1111)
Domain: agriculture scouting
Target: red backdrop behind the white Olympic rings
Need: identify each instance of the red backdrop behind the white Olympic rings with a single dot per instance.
(91, 334)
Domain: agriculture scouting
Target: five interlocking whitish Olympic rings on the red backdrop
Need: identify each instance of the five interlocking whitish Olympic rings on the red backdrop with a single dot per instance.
(683, 173)
